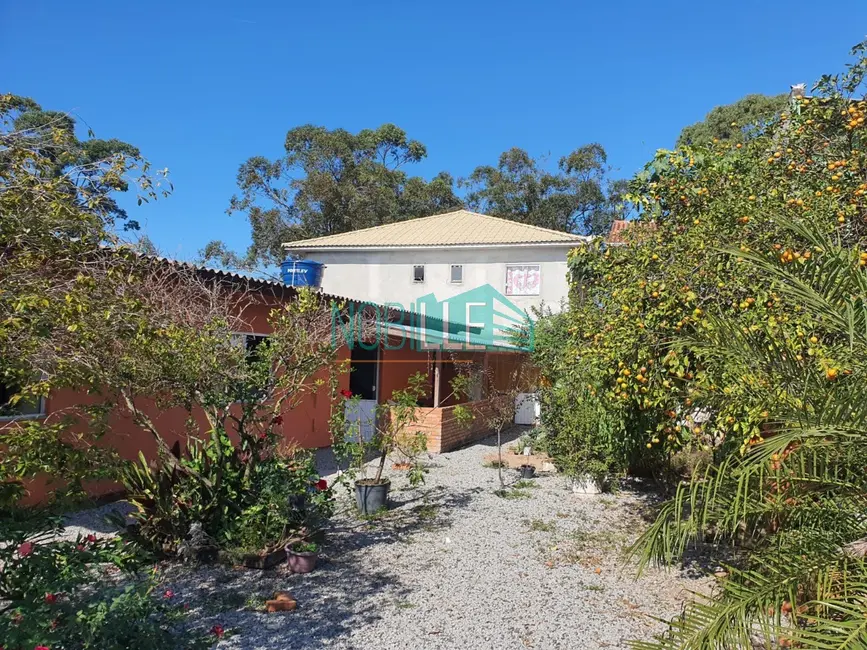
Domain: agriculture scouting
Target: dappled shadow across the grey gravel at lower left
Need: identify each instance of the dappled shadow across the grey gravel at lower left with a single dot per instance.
(346, 592)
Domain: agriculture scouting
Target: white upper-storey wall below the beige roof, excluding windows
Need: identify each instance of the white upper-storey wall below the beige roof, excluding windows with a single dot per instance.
(387, 275)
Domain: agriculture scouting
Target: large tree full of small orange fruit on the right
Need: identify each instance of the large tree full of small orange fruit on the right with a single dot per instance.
(634, 306)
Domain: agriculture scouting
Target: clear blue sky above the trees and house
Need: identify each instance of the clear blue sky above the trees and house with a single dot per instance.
(199, 87)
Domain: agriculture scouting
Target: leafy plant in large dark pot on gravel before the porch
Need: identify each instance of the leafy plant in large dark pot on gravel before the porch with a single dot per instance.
(392, 433)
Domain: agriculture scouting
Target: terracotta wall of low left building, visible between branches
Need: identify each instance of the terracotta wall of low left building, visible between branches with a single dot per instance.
(305, 426)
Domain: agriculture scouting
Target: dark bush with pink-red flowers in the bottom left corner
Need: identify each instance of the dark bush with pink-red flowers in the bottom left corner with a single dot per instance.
(80, 595)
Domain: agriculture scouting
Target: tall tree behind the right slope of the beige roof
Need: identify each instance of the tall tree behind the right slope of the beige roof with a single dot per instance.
(578, 197)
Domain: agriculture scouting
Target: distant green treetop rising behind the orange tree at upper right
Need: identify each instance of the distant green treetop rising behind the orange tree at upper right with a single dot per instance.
(735, 122)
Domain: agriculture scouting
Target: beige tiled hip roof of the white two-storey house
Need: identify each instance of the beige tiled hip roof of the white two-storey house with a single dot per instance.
(457, 228)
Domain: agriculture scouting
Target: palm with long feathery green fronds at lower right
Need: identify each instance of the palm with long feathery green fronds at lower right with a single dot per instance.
(792, 508)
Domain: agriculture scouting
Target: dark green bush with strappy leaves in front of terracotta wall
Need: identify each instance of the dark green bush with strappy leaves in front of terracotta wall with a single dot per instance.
(240, 505)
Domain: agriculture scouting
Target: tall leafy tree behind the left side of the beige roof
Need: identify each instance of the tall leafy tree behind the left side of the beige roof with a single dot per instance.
(331, 181)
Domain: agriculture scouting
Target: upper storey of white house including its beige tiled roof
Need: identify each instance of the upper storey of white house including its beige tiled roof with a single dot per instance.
(445, 255)
